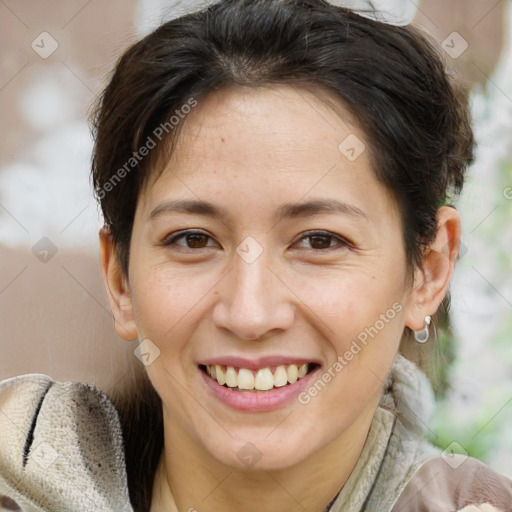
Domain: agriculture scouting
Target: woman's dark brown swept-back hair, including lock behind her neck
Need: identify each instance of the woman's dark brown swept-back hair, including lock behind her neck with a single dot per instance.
(390, 78)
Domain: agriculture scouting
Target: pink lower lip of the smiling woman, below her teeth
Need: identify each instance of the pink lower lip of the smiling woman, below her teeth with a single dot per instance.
(258, 401)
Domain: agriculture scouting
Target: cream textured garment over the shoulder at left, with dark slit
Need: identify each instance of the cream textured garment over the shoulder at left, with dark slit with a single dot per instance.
(61, 446)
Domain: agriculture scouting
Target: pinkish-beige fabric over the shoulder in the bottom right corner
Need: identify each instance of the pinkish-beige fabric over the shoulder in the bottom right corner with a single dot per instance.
(452, 483)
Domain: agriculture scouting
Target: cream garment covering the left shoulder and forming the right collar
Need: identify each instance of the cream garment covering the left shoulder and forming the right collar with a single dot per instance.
(61, 446)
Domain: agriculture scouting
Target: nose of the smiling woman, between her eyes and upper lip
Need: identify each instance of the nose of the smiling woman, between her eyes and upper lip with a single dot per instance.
(254, 303)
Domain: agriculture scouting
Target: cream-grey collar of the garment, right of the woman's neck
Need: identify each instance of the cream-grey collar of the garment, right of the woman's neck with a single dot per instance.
(396, 444)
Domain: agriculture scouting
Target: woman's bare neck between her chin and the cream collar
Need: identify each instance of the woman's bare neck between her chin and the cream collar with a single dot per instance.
(188, 479)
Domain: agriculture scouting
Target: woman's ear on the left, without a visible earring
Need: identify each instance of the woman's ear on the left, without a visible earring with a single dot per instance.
(116, 285)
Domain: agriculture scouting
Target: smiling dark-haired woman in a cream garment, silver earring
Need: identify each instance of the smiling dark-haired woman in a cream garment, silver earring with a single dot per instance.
(276, 180)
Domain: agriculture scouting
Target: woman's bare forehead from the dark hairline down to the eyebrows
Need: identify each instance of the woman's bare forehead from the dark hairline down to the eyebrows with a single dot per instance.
(268, 142)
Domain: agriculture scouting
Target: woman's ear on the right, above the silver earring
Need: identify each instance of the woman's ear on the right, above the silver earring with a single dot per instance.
(431, 281)
